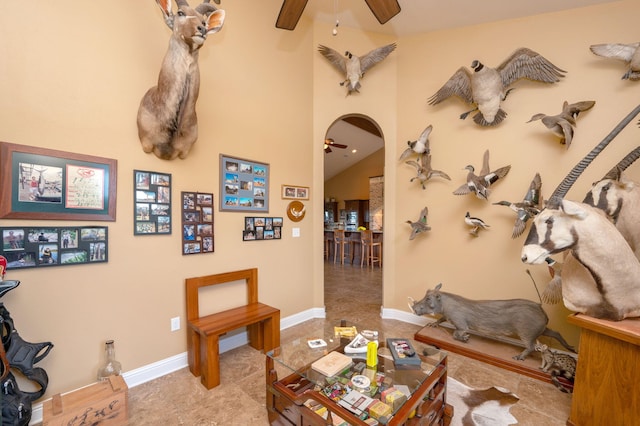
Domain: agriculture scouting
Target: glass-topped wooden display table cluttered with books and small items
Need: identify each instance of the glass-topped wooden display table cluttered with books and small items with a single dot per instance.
(295, 390)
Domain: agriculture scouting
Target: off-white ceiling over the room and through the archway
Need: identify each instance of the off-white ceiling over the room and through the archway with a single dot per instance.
(416, 16)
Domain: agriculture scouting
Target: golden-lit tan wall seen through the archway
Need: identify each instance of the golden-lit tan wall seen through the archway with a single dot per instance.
(353, 183)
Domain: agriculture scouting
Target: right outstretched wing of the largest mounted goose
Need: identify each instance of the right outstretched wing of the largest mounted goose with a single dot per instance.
(525, 63)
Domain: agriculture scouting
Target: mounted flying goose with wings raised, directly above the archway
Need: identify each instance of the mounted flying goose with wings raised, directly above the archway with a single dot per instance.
(354, 67)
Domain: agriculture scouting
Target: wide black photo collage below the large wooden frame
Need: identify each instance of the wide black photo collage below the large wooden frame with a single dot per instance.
(31, 247)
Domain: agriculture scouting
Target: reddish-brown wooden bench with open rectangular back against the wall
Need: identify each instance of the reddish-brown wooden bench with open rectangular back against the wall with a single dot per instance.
(203, 333)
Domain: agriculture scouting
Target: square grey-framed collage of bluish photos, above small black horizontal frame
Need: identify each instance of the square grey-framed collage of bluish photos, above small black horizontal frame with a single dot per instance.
(244, 185)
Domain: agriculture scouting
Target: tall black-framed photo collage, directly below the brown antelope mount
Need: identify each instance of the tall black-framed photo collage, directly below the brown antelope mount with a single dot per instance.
(151, 203)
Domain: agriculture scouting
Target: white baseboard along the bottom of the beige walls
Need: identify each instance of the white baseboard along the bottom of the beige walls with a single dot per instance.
(165, 366)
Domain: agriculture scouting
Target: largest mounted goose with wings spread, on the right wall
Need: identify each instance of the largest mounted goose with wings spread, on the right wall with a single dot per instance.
(487, 87)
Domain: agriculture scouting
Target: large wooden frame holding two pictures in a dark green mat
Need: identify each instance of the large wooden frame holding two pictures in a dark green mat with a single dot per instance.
(46, 184)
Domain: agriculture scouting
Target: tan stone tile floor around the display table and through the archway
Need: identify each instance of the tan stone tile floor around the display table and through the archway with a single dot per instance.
(179, 398)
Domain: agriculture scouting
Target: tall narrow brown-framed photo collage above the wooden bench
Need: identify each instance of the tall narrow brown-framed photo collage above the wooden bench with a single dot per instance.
(197, 223)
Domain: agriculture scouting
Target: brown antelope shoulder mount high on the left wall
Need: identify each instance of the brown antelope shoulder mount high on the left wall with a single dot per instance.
(167, 121)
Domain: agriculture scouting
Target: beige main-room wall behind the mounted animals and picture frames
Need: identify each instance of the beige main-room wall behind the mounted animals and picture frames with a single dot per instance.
(72, 78)
